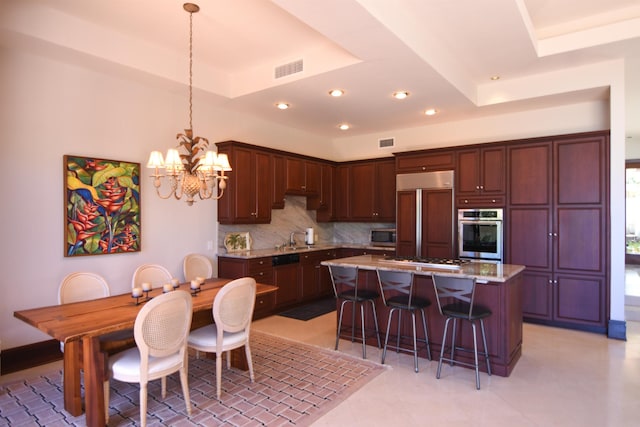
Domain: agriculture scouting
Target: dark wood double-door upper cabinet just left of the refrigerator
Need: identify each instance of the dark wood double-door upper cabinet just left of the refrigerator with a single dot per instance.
(372, 191)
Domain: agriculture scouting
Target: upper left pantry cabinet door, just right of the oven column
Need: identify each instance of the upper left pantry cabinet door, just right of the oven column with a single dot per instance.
(530, 174)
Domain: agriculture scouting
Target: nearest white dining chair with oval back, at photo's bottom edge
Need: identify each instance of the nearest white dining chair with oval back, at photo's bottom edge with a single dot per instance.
(160, 330)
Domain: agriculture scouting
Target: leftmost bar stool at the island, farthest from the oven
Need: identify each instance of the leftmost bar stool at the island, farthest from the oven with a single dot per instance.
(345, 289)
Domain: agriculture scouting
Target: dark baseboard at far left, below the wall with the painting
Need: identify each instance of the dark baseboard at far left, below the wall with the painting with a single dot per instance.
(29, 356)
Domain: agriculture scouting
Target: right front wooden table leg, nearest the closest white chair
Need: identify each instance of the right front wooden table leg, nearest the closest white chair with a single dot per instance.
(94, 376)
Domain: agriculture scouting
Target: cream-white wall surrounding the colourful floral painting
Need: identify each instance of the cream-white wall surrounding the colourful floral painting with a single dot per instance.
(50, 109)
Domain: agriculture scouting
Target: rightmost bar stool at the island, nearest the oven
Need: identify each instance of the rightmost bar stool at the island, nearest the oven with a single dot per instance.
(456, 300)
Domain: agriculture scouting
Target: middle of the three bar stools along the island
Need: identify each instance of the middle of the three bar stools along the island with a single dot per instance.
(397, 290)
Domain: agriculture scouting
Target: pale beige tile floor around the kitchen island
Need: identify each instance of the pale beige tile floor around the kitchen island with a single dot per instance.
(564, 378)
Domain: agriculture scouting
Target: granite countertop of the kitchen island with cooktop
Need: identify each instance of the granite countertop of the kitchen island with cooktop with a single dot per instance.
(481, 271)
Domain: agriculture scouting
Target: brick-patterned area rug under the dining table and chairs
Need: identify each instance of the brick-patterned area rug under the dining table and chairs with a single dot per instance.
(295, 384)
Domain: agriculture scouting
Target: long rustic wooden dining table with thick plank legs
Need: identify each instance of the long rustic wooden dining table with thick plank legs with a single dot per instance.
(83, 325)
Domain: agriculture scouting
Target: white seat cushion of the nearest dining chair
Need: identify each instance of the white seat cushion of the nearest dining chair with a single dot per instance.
(125, 366)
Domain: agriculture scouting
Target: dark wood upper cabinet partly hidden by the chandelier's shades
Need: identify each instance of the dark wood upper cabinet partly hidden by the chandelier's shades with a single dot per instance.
(247, 199)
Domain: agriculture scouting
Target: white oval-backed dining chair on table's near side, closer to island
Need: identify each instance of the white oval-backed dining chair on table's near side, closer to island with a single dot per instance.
(232, 314)
